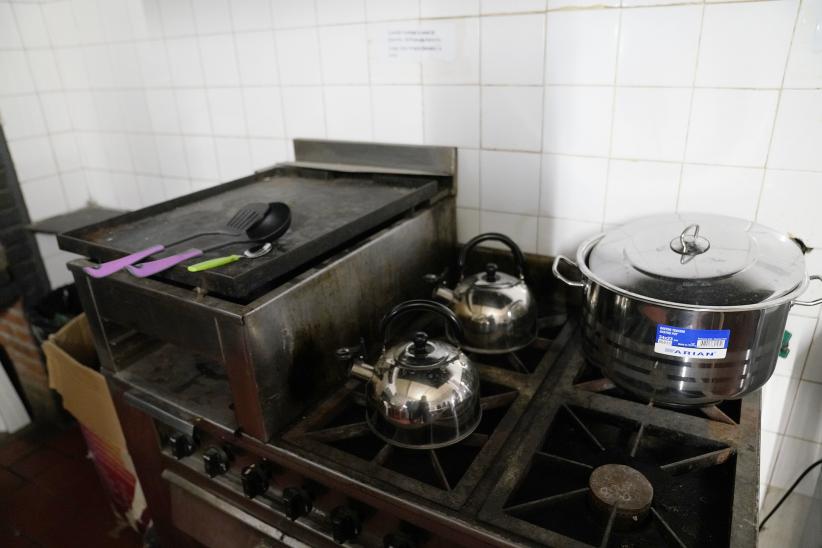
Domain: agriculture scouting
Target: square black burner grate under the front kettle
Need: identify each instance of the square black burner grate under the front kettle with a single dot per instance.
(339, 431)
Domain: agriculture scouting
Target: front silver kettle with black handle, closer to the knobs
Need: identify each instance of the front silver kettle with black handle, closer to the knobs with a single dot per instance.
(423, 393)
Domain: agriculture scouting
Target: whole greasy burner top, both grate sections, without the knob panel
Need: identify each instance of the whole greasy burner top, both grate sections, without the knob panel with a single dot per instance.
(552, 426)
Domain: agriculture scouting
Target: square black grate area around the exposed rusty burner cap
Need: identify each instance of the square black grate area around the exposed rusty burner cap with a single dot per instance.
(692, 482)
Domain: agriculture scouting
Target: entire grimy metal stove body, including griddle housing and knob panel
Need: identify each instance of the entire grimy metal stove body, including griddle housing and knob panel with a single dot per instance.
(315, 475)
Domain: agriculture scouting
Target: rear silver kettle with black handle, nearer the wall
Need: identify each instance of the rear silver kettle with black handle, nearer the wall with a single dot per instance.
(497, 310)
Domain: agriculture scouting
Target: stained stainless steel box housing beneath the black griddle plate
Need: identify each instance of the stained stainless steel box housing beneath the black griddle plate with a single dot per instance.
(268, 345)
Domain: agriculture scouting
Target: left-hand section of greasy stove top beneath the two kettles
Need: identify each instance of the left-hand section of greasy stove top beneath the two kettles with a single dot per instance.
(448, 475)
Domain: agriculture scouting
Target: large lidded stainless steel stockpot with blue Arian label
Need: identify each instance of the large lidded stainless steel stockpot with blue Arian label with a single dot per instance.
(621, 326)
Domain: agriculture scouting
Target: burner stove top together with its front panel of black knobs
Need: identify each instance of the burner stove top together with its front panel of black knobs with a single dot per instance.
(559, 459)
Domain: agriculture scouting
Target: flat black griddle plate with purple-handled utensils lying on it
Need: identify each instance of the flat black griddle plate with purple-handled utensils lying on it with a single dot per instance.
(327, 212)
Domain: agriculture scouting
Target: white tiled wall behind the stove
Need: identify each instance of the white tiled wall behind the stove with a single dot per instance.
(569, 114)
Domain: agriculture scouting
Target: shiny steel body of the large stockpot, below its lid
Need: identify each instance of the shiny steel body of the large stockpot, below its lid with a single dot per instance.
(620, 332)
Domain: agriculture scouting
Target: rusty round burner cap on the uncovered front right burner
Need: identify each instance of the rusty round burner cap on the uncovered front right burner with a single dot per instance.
(620, 487)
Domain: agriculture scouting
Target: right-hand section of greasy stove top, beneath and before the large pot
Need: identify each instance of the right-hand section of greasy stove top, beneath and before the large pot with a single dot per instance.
(592, 465)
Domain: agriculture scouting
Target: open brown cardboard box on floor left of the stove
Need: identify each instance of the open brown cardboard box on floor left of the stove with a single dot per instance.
(72, 362)
